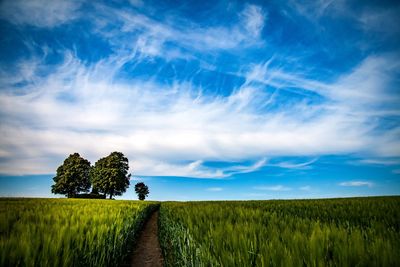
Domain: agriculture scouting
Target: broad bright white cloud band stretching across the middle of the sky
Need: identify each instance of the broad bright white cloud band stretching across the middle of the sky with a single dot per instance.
(173, 129)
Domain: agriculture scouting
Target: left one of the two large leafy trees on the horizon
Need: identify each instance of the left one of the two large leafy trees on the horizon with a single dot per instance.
(72, 176)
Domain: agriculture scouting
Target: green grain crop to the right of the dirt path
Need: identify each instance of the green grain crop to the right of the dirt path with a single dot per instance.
(335, 232)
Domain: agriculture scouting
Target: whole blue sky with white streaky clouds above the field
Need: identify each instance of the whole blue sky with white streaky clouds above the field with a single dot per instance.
(209, 100)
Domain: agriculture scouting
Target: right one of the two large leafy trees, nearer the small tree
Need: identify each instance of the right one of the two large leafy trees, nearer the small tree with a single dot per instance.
(110, 174)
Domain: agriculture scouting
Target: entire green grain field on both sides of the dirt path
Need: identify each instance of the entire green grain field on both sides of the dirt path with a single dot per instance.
(332, 232)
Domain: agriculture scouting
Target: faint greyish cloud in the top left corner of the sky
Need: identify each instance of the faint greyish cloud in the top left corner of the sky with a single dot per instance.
(40, 13)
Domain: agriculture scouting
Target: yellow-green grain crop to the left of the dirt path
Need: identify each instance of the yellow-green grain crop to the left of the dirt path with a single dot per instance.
(68, 232)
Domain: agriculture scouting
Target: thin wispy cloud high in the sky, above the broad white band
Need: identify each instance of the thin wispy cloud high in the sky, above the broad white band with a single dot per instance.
(146, 36)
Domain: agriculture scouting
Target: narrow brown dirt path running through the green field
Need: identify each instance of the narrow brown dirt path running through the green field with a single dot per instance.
(148, 252)
